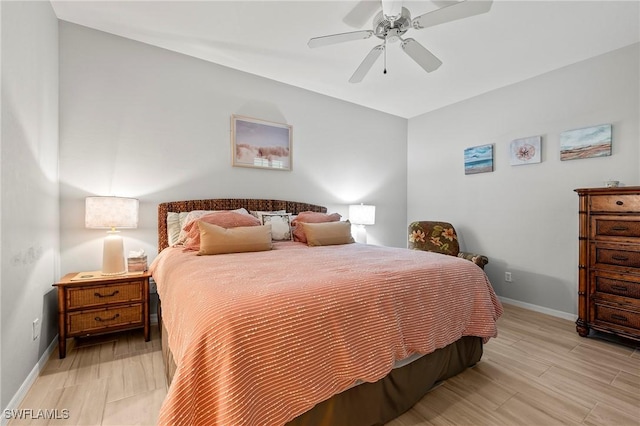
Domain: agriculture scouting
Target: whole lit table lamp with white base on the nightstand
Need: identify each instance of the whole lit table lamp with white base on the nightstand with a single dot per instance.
(111, 213)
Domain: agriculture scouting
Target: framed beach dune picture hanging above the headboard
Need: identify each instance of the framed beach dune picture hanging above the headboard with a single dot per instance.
(260, 144)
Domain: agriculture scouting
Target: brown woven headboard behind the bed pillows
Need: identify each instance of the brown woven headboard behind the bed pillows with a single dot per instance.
(226, 204)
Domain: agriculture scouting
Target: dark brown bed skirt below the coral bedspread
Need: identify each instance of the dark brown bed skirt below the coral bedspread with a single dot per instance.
(380, 402)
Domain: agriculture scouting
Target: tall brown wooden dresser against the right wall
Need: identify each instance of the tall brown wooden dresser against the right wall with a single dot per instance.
(609, 261)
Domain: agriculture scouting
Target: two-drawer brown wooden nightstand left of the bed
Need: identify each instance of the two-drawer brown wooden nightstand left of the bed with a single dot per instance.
(90, 303)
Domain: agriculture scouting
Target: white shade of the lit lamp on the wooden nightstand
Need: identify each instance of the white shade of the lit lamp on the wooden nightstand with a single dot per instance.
(111, 212)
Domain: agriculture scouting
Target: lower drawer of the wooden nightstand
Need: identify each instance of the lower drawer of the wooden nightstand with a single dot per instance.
(85, 322)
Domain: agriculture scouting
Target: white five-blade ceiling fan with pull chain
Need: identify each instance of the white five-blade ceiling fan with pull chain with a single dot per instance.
(392, 22)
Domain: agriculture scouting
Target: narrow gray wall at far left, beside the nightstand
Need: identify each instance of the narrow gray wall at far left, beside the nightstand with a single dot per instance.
(28, 187)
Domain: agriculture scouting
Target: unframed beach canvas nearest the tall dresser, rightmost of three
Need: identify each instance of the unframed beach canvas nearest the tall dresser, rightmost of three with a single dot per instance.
(585, 143)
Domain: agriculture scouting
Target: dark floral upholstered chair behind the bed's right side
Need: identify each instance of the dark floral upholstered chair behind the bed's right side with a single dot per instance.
(440, 237)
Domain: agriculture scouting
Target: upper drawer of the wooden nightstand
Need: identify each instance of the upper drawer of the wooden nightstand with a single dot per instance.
(107, 294)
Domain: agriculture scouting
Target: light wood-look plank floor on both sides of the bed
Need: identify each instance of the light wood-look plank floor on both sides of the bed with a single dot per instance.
(537, 372)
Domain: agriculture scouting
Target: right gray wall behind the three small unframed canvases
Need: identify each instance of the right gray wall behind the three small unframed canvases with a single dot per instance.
(524, 218)
